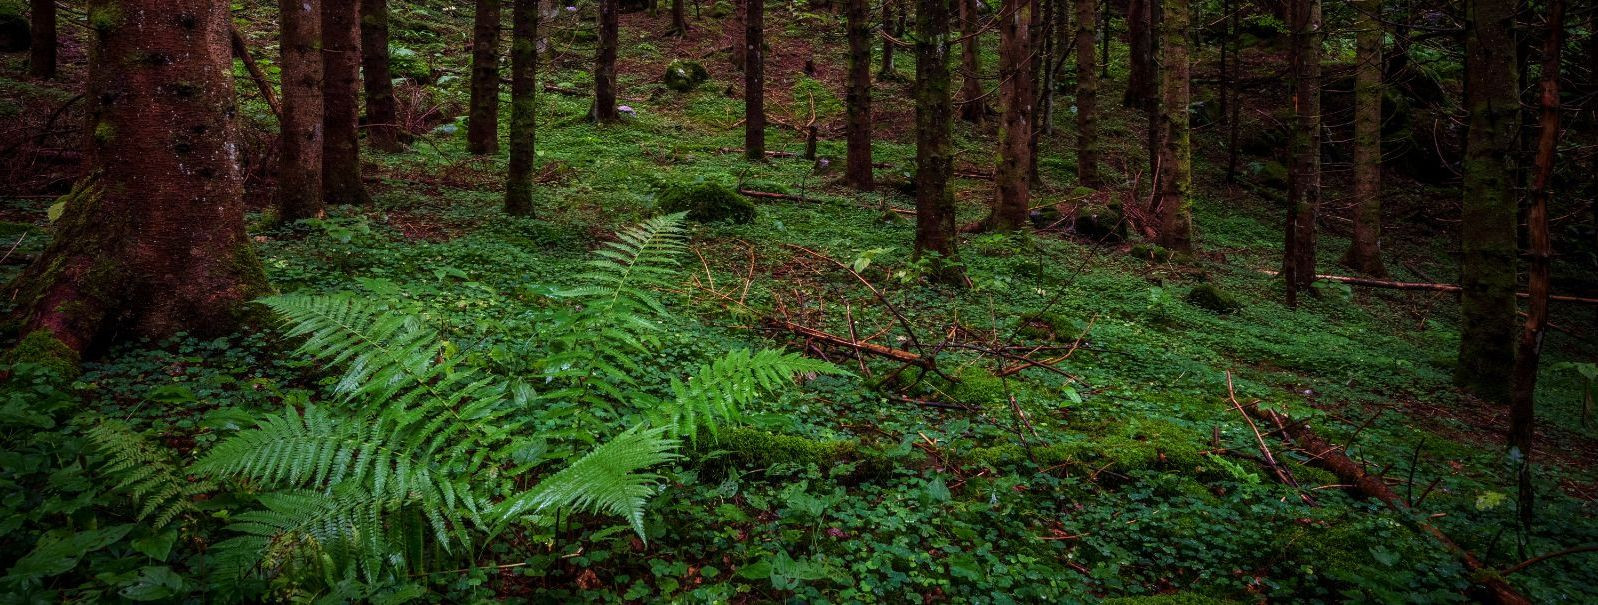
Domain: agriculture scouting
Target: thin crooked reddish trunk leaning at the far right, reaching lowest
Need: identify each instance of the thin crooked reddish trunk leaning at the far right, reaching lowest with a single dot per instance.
(1522, 413)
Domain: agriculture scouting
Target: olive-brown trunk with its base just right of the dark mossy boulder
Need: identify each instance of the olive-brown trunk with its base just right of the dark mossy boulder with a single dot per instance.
(1177, 224)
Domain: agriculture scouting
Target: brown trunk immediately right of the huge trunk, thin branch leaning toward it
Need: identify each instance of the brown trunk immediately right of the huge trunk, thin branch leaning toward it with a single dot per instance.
(300, 162)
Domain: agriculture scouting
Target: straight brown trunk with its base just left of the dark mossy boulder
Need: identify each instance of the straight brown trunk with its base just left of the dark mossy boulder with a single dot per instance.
(1016, 130)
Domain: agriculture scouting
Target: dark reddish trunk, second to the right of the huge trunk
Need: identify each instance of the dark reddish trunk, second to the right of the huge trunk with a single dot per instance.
(341, 53)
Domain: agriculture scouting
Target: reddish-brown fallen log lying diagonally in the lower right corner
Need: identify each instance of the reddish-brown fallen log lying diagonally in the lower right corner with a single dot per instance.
(1372, 486)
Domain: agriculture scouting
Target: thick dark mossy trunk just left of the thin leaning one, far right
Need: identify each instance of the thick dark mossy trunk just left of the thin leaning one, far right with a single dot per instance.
(1487, 261)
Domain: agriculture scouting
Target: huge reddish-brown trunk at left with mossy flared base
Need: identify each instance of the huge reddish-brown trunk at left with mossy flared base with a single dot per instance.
(153, 243)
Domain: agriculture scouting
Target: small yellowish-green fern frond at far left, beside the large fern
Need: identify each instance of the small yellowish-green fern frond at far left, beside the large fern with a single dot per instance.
(146, 473)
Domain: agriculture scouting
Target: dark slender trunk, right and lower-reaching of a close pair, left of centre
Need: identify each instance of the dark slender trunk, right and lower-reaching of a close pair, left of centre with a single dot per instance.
(523, 106)
